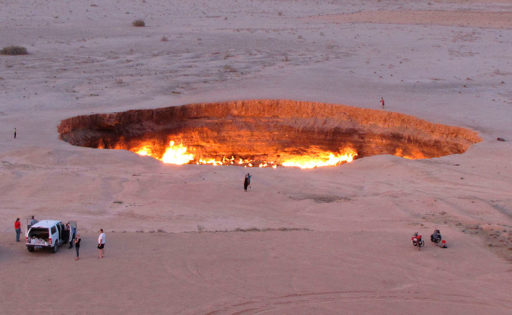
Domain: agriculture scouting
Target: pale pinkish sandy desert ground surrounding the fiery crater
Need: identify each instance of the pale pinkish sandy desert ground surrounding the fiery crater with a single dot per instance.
(187, 239)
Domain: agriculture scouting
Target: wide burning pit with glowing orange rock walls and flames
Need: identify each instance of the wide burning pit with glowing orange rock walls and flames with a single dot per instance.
(266, 133)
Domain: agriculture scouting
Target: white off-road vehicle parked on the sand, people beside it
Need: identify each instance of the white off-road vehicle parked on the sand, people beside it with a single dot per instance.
(47, 234)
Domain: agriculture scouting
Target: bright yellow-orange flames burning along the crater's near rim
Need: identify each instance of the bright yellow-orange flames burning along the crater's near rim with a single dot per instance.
(179, 154)
